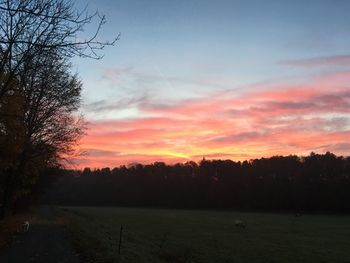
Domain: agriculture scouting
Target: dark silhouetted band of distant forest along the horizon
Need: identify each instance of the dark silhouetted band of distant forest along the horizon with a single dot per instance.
(314, 183)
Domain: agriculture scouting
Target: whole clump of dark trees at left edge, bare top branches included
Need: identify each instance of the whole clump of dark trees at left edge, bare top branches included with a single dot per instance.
(39, 97)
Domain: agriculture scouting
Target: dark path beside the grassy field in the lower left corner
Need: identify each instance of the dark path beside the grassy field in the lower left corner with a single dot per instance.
(45, 242)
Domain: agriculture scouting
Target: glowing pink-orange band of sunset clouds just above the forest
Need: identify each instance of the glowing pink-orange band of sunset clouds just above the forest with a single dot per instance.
(260, 121)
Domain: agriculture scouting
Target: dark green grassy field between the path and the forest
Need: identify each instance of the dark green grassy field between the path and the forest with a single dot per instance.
(157, 235)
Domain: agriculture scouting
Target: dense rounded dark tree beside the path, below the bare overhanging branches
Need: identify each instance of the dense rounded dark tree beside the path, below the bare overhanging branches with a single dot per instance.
(47, 127)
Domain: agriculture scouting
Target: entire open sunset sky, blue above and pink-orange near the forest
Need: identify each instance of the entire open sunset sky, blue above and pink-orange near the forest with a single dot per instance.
(216, 79)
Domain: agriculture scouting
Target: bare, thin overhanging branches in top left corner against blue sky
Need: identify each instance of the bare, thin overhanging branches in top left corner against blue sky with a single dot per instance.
(30, 28)
